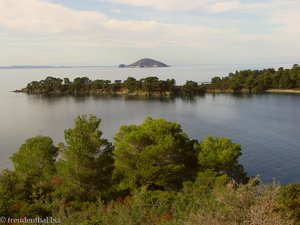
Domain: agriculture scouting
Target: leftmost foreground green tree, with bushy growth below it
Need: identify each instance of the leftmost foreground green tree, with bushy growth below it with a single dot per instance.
(31, 180)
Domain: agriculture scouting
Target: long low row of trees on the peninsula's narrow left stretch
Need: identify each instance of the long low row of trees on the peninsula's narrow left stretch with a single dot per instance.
(83, 85)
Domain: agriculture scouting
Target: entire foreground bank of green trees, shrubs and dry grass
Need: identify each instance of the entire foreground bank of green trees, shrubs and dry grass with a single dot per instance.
(152, 174)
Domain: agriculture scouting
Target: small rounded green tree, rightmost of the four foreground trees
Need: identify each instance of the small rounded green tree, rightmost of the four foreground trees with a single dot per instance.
(221, 155)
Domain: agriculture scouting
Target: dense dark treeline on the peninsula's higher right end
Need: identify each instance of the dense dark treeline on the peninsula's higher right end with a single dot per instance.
(256, 81)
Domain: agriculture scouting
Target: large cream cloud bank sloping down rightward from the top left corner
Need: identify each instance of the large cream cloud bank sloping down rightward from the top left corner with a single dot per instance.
(37, 20)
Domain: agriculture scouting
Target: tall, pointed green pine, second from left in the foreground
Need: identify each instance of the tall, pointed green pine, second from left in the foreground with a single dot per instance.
(86, 163)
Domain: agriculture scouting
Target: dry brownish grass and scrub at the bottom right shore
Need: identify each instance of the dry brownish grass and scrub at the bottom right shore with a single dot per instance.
(242, 205)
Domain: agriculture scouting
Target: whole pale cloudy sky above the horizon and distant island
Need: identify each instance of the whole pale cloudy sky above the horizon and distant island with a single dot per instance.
(176, 32)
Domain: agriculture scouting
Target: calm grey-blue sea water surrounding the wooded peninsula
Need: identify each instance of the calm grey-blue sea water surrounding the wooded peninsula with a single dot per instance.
(267, 126)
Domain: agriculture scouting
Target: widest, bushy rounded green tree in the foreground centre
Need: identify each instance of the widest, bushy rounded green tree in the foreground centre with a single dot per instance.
(156, 154)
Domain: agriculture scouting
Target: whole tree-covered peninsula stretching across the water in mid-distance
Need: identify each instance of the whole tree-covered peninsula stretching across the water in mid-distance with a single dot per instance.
(244, 81)
